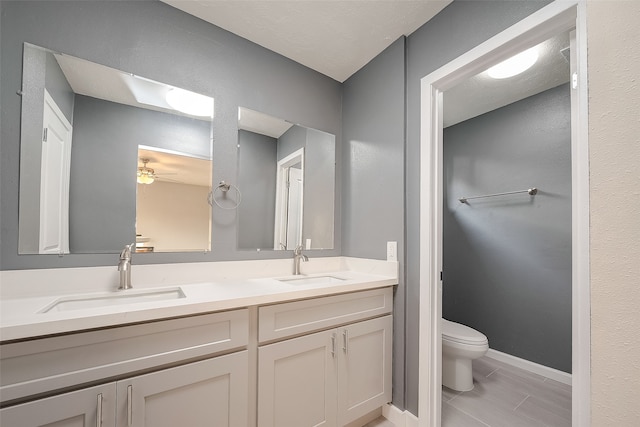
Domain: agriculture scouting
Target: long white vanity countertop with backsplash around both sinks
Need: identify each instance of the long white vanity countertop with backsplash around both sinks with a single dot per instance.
(216, 287)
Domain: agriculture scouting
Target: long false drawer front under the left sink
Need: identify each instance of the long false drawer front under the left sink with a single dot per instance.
(43, 365)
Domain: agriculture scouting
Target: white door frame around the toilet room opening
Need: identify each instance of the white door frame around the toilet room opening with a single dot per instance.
(559, 16)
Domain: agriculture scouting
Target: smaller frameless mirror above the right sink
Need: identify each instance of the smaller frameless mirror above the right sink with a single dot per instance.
(287, 176)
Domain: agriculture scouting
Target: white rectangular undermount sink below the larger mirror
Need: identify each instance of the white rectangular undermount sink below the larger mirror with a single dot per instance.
(110, 299)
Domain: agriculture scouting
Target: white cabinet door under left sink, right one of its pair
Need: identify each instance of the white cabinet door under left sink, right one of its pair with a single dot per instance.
(212, 392)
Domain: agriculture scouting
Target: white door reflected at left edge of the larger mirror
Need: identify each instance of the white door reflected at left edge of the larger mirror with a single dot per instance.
(54, 179)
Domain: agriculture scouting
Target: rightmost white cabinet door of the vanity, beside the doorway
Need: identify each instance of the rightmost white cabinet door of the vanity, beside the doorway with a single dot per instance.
(364, 372)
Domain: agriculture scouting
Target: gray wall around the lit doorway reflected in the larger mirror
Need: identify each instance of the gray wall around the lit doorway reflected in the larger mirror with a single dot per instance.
(104, 160)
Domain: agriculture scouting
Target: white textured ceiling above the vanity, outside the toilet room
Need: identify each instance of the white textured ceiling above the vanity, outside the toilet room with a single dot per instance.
(333, 37)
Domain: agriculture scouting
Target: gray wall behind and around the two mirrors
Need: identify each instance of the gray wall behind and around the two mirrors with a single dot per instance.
(156, 41)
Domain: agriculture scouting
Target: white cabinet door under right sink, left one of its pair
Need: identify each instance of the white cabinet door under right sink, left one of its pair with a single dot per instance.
(297, 382)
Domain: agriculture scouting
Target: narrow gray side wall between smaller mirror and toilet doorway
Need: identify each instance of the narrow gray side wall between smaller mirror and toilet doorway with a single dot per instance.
(373, 176)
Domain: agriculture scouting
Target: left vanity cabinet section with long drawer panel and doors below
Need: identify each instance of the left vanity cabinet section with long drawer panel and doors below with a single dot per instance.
(172, 391)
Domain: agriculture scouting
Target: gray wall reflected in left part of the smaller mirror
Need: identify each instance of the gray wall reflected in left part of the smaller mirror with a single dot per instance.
(256, 213)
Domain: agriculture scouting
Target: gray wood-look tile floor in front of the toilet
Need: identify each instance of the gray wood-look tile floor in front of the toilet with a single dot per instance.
(504, 396)
